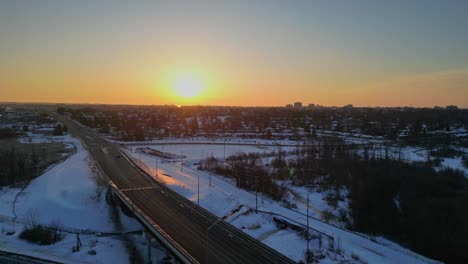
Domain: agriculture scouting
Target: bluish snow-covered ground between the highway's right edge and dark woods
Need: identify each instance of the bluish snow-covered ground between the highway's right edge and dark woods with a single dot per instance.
(222, 197)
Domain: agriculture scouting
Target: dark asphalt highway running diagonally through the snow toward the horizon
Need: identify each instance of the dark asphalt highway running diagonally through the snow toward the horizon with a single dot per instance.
(206, 238)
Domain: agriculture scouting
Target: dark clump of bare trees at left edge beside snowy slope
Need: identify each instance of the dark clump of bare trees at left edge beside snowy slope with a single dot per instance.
(17, 166)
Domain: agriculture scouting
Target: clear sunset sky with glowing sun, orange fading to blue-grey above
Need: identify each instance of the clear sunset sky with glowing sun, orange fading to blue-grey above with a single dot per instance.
(244, 52)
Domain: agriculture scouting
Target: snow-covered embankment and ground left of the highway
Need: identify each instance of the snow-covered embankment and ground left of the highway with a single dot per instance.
(66, 194)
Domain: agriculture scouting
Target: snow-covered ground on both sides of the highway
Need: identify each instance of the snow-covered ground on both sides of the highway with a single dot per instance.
(69, 194)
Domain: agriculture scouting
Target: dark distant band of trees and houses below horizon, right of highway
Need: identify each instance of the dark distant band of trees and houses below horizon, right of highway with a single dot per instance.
(413, 125)
